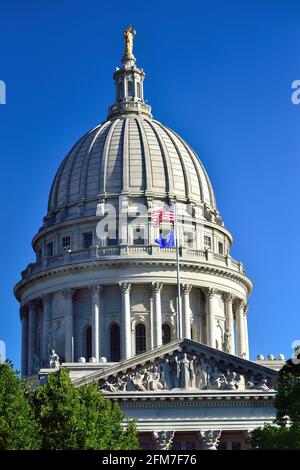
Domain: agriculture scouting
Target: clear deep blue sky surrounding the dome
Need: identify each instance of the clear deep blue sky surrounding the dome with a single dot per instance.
(219, 73)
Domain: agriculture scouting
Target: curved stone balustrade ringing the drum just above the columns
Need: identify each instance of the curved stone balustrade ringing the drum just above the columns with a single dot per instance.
(132, 251)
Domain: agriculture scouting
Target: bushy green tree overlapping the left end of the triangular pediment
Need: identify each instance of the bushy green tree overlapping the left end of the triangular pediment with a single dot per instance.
(80, 418)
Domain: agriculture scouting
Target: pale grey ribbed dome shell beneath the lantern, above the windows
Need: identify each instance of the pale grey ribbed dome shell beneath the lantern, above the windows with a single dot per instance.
(132, 154)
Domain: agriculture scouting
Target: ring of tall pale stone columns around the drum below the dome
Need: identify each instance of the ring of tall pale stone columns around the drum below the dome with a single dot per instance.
(235, 323)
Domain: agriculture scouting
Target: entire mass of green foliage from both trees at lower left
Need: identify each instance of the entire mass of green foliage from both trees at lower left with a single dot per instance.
(58, 416)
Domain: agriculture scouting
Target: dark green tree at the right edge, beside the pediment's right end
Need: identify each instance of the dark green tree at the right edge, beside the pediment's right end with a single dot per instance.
(285, 433)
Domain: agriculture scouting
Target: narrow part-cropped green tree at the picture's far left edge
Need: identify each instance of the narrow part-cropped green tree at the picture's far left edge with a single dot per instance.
(18, 427)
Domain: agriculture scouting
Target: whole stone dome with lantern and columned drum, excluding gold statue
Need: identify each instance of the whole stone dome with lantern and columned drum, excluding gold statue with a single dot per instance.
(116, 296)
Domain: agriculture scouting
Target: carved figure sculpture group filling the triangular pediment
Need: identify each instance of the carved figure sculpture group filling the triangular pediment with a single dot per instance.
(184, 371)
